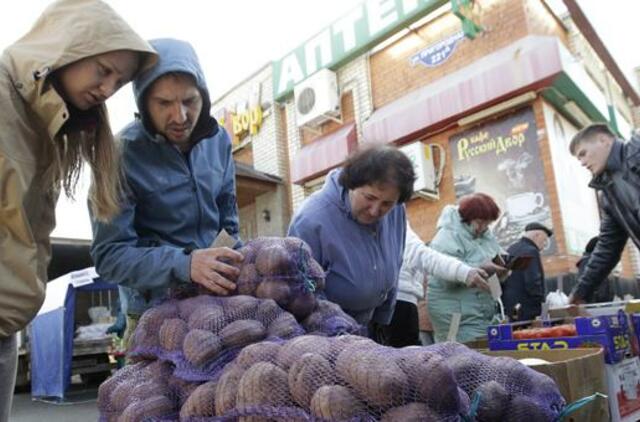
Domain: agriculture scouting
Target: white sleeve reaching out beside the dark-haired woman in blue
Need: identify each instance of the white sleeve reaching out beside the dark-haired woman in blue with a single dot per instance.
(420, 257)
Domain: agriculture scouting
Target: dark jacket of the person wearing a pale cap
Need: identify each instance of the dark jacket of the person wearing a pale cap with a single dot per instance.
(525, 287)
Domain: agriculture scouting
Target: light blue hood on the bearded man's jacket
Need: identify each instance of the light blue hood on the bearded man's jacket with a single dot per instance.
(175, 56)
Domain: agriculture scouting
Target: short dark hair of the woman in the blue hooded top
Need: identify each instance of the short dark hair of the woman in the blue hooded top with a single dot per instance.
(379, 164)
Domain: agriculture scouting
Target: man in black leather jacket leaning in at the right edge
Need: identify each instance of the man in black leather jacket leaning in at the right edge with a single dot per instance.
(615, 166)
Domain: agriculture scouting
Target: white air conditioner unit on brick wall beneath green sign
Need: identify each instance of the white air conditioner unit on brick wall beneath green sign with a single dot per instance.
(317, 99)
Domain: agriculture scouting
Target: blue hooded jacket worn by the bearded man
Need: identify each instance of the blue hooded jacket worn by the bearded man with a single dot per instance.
(174, 201)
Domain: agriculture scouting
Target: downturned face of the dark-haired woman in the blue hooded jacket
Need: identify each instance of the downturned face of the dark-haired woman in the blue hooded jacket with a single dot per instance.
(369, 203)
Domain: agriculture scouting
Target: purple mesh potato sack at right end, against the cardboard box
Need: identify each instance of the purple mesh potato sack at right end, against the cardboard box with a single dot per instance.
(505, 389)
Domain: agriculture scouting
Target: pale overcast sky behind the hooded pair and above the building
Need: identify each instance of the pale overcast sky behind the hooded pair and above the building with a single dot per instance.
(234, 39)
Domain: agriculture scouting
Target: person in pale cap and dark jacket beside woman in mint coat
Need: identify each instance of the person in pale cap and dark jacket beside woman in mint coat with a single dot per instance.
(523, 292)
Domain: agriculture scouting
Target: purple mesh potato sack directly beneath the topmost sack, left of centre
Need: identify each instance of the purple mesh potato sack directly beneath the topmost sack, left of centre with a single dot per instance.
(201, 334)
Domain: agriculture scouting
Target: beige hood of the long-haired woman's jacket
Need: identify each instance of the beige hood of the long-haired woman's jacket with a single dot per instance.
(67, 31)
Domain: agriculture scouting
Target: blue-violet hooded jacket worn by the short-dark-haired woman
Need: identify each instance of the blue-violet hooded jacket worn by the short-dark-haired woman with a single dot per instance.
(362, 263)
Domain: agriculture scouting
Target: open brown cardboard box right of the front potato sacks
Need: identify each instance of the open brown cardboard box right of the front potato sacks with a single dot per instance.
(577, 372)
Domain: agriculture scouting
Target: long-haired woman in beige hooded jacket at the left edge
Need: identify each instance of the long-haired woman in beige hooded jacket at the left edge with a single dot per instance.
(53, 85)
